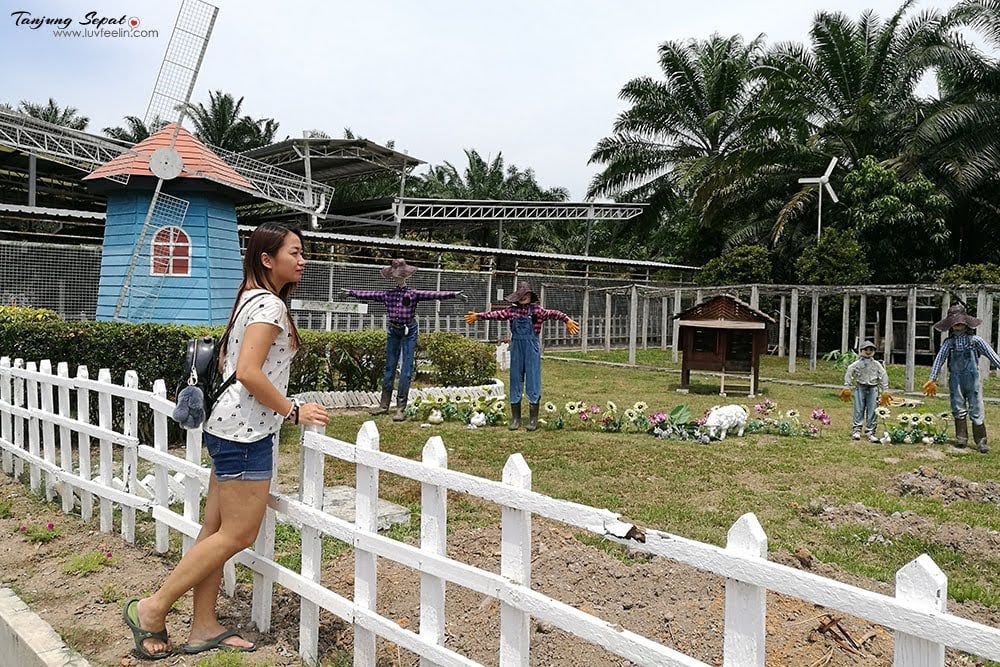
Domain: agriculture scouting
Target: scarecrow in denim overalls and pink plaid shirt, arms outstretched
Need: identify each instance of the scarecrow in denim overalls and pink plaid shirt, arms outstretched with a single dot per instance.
(526, 317)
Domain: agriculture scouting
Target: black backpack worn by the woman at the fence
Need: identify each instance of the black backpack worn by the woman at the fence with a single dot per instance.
(200, 385)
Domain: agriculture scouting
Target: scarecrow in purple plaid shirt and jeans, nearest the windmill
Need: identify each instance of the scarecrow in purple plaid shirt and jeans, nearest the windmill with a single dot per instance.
(401, 334)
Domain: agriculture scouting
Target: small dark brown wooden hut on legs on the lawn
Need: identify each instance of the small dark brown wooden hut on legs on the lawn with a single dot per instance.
(723, 334)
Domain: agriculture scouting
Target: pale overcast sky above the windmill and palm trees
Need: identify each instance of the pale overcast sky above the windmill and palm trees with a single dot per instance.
(536, 80)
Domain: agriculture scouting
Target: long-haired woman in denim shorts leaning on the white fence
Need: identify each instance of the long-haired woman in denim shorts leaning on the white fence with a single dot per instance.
(239, 435)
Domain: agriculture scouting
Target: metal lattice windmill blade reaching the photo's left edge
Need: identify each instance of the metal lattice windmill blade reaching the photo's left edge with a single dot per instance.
(58, 144)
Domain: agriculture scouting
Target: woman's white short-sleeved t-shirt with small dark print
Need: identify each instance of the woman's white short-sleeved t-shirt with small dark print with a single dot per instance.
(237, 415)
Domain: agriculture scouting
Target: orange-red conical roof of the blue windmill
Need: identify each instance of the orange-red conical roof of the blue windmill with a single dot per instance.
(197, 158)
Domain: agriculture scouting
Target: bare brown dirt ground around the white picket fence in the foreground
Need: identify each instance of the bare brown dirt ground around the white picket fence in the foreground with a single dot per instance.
(670, 603)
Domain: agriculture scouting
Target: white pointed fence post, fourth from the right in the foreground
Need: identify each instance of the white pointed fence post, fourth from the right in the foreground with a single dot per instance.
(433, 539)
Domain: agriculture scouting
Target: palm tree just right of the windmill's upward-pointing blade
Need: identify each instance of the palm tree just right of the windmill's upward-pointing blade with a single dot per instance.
(221, 125)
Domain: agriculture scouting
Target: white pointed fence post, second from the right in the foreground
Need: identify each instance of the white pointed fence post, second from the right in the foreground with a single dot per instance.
(746, 610)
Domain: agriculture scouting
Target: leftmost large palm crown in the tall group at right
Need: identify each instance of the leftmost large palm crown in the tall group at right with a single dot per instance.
(678, 131)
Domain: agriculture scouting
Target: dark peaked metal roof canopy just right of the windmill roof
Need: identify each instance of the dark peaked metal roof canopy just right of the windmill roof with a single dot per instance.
(328, 160)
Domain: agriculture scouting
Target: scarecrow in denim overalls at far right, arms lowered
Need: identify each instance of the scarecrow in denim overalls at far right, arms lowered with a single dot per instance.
(962, 349)
